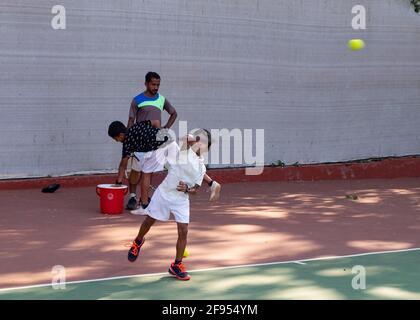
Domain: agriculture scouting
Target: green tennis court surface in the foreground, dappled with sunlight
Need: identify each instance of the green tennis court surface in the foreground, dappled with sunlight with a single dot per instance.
(389, 275)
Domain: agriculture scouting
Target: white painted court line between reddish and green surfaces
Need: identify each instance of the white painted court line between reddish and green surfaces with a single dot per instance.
(302, 261)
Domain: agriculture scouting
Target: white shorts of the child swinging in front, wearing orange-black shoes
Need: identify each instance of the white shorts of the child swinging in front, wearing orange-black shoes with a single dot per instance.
(160, 208)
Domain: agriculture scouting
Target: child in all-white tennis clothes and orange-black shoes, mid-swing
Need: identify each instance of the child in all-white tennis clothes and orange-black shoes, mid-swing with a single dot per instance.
(186, 170)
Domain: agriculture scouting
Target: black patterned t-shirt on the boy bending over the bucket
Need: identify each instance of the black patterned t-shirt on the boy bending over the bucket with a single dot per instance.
(143, 137)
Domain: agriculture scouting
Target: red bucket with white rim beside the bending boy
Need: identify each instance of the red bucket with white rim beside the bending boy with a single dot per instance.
(112, 198)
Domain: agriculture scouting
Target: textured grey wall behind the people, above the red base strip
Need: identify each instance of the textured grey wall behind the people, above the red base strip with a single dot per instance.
(281, 65)
